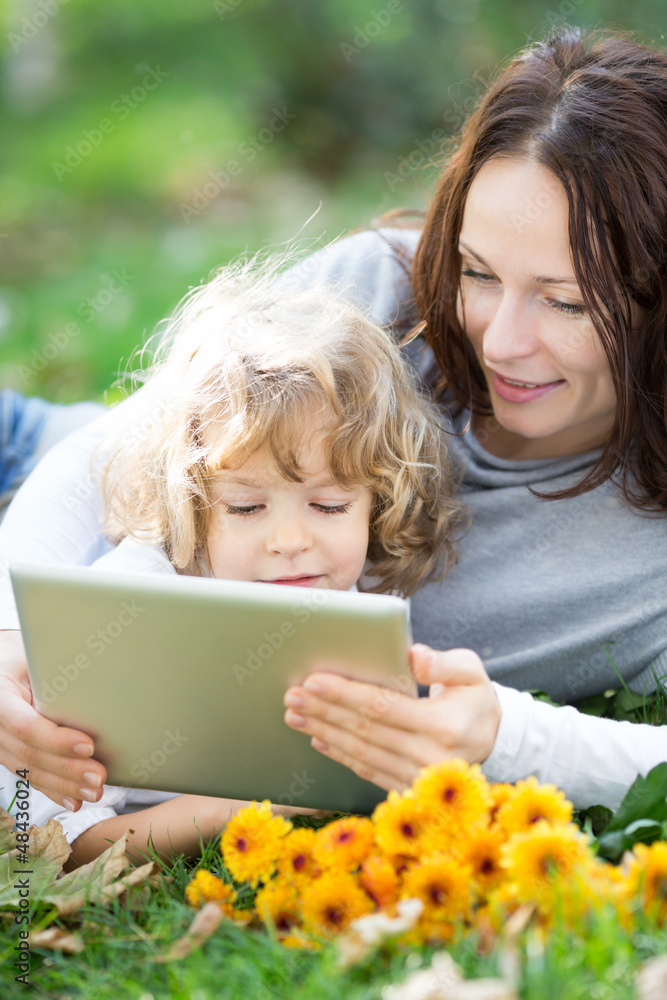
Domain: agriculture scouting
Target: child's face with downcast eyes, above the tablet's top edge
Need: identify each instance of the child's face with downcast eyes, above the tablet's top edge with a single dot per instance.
(270, 530)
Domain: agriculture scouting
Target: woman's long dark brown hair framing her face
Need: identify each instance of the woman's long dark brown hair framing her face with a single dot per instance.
(593, 110)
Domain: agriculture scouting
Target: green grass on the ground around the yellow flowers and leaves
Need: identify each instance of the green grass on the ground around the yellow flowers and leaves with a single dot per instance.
(124, 940)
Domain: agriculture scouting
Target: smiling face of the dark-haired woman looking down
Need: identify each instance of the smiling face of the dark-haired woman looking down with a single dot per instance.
(548, 378)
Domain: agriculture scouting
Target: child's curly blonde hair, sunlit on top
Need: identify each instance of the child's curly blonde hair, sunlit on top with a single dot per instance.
(250, 362)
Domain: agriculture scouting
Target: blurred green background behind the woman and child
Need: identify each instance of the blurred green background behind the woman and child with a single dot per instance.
(145, 142)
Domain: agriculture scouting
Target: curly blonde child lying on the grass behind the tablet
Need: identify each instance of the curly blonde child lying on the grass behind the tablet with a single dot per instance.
(284, 440)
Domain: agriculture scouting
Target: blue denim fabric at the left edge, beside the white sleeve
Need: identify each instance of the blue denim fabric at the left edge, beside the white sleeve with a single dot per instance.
(22, 421)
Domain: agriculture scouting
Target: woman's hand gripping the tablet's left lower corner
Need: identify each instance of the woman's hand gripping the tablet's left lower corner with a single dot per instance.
(58, 757)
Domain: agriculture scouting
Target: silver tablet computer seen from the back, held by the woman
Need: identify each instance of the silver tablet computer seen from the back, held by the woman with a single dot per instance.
(180, 680)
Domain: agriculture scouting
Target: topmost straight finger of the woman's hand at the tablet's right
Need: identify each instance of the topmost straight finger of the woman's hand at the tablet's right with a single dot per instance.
(325, 693)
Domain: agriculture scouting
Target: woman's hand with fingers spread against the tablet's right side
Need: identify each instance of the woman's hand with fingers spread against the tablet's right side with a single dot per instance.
(387, 737)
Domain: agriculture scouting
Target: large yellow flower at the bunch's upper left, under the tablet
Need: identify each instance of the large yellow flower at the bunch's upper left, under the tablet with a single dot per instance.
(252, 842)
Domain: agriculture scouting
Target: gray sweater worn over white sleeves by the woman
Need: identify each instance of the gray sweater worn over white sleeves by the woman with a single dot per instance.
(543, 590)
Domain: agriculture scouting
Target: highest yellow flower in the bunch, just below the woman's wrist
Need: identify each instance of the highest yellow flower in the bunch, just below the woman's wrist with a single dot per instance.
(456, 797)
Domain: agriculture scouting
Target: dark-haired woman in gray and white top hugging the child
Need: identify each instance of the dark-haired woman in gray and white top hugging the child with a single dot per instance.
(539, 284)
